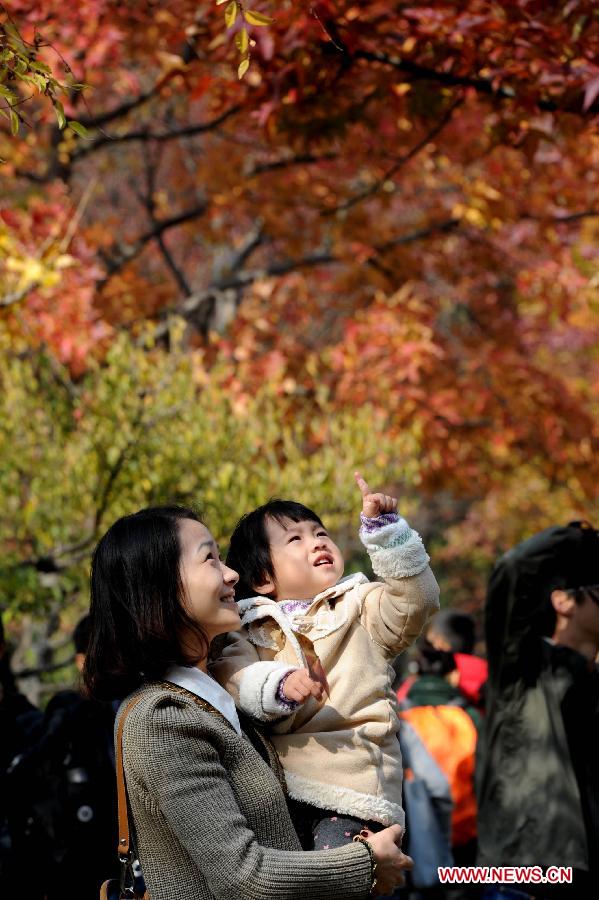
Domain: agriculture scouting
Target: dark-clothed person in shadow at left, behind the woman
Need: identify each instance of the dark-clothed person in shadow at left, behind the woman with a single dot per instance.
(64, 795)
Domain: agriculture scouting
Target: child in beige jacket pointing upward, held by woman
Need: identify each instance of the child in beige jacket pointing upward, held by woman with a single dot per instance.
(313, 657)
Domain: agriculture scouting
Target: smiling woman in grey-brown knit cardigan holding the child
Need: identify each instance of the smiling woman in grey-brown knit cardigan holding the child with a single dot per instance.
(209, 813)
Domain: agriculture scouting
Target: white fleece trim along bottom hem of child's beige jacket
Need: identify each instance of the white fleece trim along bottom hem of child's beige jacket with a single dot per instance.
(344, 800)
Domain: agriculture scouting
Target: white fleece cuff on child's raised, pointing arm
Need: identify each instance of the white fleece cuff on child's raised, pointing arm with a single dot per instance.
(395, 549)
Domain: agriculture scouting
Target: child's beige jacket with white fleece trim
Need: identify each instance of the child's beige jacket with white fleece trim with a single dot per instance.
(341, 754)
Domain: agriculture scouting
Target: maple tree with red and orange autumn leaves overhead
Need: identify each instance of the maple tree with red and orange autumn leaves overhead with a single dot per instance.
(394, 211)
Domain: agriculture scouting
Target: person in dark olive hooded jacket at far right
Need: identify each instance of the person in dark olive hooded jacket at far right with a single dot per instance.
(538, 772)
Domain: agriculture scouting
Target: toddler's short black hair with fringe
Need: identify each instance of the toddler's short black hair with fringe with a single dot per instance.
(249, 551)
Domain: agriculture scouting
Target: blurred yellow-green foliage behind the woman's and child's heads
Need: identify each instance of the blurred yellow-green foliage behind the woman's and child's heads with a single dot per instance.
(141, 428)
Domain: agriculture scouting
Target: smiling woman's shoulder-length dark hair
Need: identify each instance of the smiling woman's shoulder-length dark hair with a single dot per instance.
(137, 615)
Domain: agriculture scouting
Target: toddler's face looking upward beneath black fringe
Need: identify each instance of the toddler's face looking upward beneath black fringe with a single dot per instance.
(305, 559)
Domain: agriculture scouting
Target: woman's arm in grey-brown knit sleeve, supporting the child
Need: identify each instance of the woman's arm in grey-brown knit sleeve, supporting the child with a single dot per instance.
(184, 777)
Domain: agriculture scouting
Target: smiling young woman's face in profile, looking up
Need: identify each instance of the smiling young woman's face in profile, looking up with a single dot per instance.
(209, 585)
